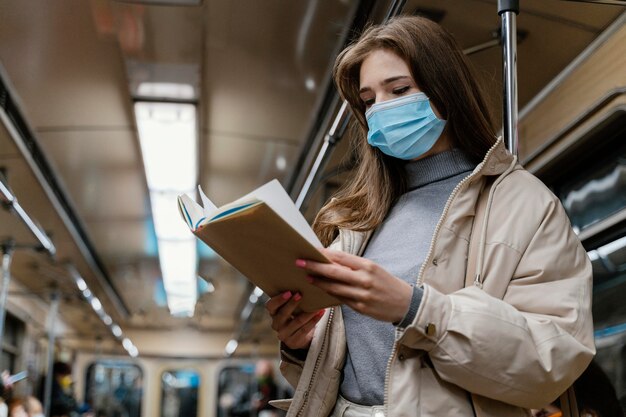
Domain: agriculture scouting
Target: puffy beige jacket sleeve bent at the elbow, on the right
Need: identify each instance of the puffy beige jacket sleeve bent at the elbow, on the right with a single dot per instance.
(528, 347)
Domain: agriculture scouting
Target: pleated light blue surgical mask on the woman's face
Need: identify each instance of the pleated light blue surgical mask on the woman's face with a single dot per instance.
(405, 127)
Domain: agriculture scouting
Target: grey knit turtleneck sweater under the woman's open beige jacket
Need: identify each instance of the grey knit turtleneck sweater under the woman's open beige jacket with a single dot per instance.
(399, 245)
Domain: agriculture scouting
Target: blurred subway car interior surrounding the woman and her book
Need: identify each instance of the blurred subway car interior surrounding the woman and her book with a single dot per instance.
(109, 109)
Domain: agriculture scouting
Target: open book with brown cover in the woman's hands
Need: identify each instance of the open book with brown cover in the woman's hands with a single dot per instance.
(261, 234)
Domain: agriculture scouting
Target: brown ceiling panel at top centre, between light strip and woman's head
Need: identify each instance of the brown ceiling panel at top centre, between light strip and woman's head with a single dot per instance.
(259, 58)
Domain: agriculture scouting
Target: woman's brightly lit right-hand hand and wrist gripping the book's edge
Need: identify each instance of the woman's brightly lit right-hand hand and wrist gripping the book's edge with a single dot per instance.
(361, 284)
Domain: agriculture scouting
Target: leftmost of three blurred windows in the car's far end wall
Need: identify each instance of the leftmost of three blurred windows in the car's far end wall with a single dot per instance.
(114, 388)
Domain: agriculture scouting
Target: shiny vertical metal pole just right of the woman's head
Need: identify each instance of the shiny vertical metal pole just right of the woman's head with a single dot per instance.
(508, 9)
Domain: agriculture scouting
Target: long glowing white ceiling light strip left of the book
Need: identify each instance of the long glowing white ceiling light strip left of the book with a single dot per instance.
(168, 140)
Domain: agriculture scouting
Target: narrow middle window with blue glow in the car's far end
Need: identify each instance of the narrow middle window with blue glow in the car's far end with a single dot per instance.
(179, 393)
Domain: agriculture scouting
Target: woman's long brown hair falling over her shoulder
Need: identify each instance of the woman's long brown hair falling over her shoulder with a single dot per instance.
(444, 74)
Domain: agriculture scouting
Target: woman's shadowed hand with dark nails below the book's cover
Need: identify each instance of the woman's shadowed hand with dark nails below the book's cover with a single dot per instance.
(296, 332)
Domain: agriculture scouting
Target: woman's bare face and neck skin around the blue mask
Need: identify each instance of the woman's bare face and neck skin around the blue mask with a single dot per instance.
(384, 76)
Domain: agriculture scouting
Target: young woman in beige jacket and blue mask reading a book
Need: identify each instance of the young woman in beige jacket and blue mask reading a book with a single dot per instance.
(465, 291)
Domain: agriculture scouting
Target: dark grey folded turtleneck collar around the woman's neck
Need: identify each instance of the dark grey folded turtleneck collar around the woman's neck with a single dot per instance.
(437, 167)
